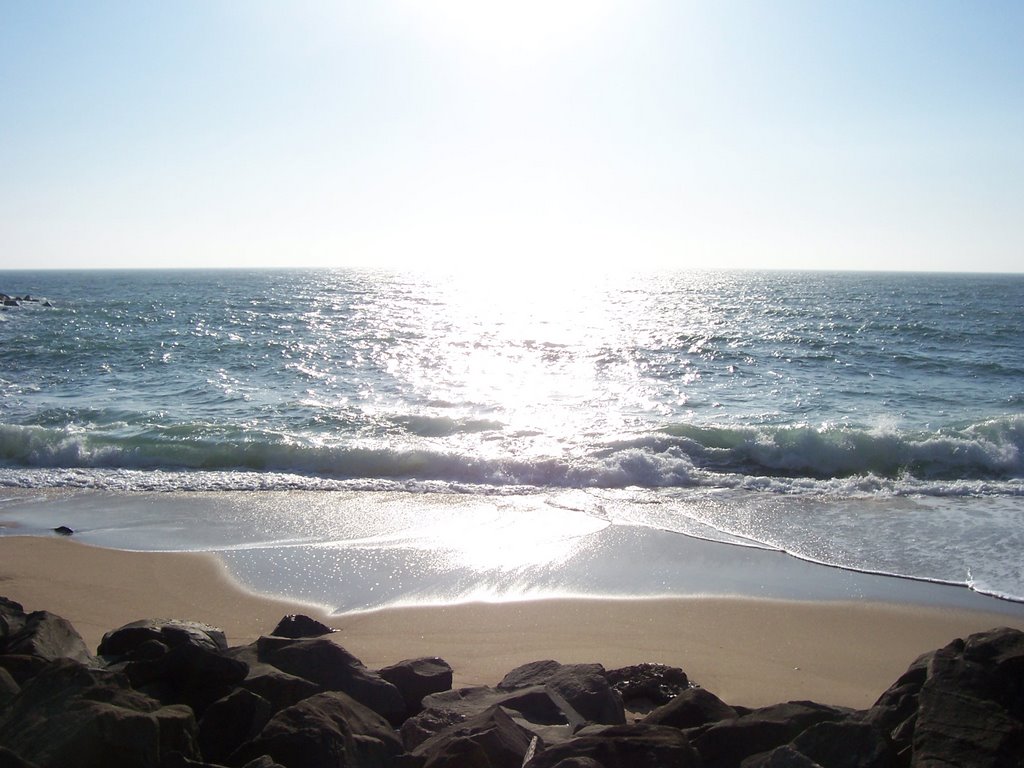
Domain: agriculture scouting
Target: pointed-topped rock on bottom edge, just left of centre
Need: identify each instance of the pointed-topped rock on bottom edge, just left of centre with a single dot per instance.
(491, 739)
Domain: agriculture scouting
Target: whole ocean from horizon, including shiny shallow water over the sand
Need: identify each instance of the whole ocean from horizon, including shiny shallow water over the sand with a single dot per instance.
(363, 438)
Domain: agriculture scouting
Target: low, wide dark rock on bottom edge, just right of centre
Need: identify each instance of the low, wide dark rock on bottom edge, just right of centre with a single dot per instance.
(635, 746)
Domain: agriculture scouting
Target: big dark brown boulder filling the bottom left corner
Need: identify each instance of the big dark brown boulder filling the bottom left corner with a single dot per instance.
(71, 715)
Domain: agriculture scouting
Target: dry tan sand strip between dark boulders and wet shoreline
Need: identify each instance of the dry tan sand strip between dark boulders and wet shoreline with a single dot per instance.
(749, 652)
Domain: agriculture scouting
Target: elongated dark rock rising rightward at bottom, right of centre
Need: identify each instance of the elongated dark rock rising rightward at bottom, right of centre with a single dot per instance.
(728, 744)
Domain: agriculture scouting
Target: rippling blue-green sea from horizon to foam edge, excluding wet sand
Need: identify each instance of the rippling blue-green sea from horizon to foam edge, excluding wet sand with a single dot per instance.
(791, 410)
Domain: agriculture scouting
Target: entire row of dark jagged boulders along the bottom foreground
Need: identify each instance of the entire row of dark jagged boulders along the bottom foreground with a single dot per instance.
(173, 694)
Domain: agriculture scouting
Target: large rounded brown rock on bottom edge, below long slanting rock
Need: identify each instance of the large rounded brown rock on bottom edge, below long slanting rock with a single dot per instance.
(324, 732)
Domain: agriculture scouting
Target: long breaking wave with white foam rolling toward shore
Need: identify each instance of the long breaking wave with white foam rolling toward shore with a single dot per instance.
(975, 459)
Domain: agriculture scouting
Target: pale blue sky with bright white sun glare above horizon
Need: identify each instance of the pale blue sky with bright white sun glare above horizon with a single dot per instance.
(564, 135)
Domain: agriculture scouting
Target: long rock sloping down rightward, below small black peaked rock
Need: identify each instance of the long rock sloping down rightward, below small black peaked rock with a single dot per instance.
(328, 665)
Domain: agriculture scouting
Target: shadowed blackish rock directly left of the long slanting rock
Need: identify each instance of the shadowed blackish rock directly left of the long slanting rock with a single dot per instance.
(188, 674)
